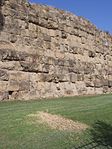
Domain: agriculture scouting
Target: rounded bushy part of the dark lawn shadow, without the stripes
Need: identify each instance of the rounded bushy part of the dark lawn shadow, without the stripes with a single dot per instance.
(101, 133)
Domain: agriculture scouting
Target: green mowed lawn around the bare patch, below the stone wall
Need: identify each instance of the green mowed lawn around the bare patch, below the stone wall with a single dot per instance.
(16, 131)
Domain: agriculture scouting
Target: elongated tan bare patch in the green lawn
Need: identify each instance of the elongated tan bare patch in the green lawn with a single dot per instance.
(58, 122)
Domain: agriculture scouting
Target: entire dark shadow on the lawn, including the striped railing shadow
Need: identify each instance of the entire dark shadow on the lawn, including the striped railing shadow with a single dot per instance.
(100, 137)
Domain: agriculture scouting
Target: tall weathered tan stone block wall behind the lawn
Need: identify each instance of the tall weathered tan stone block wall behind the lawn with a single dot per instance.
(46, 52)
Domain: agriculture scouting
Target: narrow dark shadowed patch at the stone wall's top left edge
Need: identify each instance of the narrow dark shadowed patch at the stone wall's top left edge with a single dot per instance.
(1, 15)
